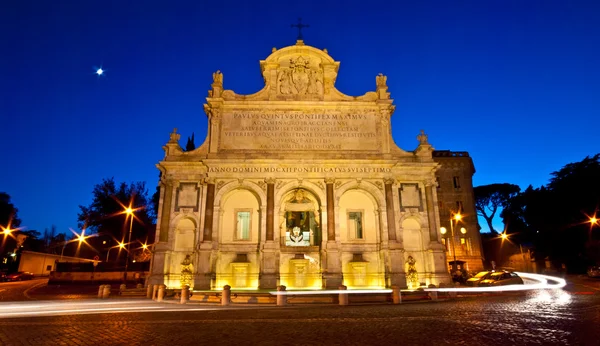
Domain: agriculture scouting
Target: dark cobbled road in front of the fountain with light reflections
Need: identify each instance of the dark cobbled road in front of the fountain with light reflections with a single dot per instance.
(558, 317)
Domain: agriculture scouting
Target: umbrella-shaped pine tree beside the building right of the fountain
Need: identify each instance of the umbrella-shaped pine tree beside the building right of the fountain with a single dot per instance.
(489, 198)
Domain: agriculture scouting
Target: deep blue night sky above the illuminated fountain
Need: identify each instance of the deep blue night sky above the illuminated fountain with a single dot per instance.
(514, 83)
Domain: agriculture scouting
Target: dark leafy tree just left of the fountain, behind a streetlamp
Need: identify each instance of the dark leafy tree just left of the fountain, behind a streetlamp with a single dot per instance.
(105, 215)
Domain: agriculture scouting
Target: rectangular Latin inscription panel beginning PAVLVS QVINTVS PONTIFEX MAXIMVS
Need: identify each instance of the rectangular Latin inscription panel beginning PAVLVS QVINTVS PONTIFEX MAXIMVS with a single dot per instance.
(295, 130)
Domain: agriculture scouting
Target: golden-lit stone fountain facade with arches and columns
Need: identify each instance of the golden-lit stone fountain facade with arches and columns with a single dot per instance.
(298, 185)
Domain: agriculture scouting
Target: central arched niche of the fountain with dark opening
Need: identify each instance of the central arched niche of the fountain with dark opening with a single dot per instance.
(300, 219)
